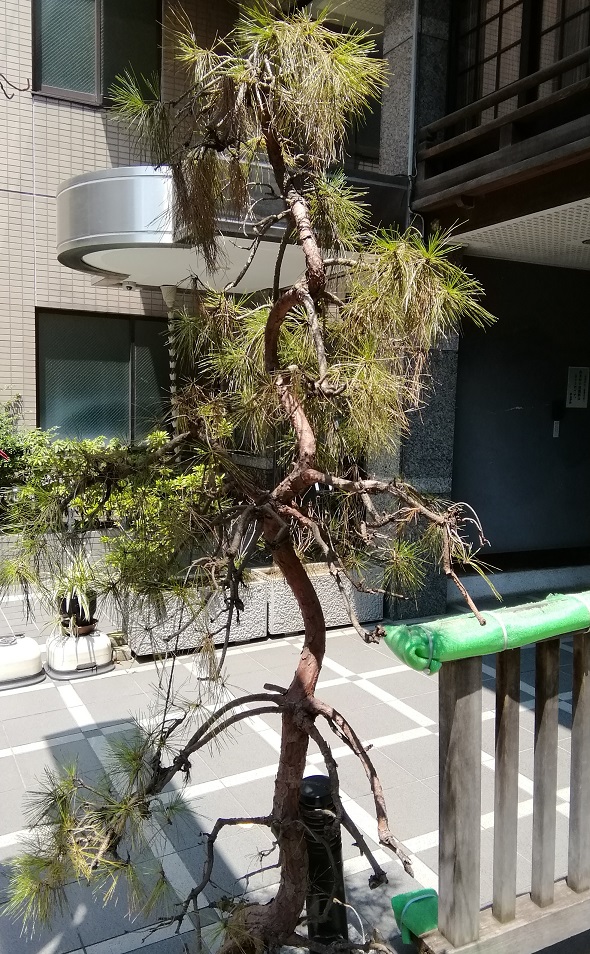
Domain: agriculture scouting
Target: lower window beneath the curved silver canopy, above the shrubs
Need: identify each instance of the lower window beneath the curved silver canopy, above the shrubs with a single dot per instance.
(101, 376)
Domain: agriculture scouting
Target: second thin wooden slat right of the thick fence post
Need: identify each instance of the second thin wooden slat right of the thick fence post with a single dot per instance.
(545, 779)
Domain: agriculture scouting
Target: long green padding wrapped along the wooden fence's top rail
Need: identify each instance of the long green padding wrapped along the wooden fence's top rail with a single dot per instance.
(426, 646)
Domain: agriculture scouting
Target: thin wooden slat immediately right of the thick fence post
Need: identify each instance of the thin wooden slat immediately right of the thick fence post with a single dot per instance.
(506, 784)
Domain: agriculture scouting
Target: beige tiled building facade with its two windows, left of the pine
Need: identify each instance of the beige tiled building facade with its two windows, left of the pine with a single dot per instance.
(51, 316)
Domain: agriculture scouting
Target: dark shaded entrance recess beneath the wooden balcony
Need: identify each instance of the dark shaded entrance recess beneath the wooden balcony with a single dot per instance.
(530, 488)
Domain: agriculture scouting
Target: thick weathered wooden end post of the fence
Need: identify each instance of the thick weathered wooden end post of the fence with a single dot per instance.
(459, 800)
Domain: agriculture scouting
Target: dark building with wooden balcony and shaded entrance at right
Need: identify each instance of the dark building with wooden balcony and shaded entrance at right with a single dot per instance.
(506, 160)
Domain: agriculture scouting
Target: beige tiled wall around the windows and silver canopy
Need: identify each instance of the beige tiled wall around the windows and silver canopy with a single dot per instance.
(44, 141)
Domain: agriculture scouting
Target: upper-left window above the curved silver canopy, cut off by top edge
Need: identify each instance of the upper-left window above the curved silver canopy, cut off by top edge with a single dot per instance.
(82, 45)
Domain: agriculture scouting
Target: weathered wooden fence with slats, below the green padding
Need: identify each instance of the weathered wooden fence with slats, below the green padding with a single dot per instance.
(553, 911)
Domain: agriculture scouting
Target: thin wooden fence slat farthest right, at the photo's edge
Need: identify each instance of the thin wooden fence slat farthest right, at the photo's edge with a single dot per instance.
(578, 877)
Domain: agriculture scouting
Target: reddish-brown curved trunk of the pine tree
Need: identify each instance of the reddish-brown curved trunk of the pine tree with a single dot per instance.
(273, 924)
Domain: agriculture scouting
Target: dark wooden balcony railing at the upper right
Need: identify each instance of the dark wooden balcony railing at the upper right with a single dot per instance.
(551, 131)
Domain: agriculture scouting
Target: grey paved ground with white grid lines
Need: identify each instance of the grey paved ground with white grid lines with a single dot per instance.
(391, 706)
